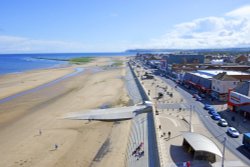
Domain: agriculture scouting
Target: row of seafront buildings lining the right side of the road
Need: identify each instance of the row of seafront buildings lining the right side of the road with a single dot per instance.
(224, 82)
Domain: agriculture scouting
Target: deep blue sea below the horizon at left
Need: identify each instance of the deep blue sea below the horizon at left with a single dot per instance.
(18, 63)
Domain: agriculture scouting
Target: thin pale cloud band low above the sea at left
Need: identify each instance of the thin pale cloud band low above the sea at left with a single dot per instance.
(15, 44)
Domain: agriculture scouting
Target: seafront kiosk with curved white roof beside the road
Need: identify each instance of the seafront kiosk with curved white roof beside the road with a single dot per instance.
(200, 147)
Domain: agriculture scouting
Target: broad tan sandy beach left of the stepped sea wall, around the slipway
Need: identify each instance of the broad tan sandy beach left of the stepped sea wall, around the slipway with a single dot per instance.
(80, 143)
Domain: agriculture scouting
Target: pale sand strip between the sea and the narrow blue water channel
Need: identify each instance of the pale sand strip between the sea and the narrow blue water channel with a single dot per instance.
(23, 81)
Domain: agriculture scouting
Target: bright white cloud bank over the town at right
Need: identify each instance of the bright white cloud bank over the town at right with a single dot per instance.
(233, 30)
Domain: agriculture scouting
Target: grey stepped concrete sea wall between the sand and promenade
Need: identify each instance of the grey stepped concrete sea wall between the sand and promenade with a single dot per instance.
(142, 129)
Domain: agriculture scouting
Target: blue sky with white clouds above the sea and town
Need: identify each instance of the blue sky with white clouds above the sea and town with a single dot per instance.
(48, 26)
